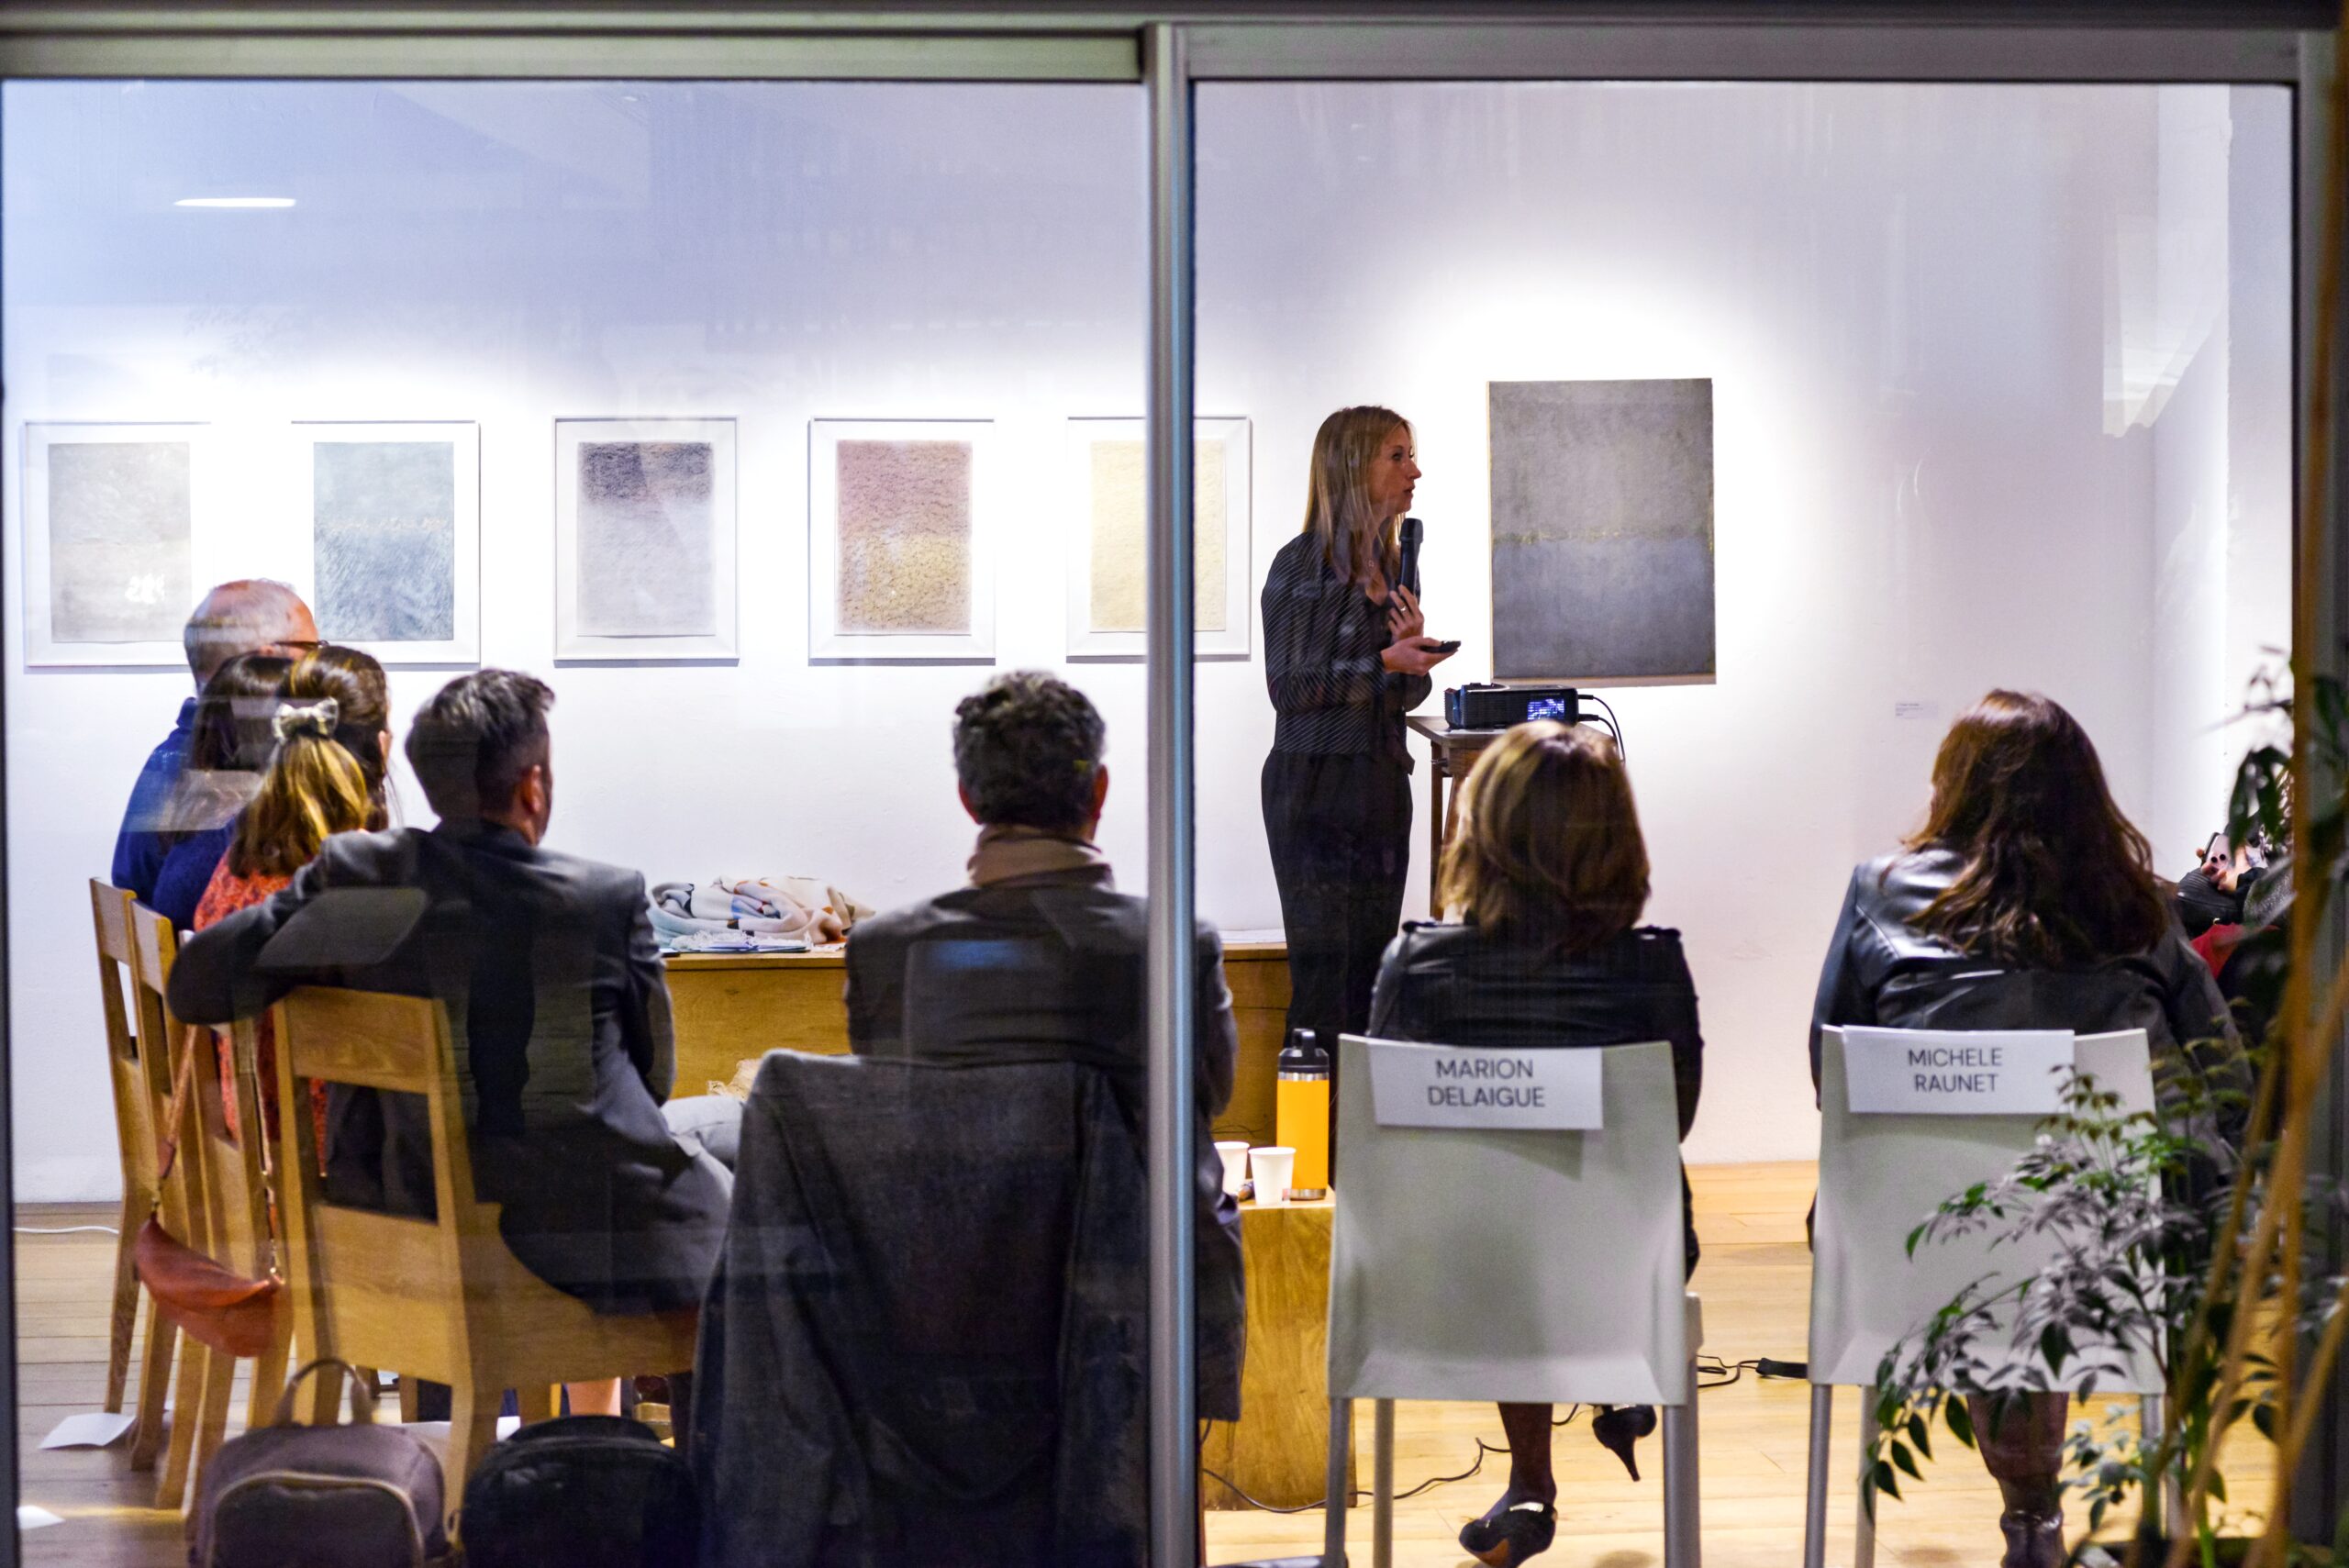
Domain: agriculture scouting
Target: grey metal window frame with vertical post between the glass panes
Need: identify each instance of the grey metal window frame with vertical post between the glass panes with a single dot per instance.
(1169, 53)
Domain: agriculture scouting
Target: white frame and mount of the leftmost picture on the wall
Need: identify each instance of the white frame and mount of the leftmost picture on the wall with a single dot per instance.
(65, 628)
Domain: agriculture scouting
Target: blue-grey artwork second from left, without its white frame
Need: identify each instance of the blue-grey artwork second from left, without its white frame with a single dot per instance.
(384, 539)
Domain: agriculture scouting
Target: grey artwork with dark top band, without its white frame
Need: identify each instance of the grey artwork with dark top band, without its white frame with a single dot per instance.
(647, 527)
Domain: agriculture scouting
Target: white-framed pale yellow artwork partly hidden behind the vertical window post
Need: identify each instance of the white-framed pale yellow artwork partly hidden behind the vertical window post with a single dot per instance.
(1108, 557)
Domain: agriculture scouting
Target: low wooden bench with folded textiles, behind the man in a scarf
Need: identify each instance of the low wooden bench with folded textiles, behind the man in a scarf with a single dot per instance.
(736, 1008)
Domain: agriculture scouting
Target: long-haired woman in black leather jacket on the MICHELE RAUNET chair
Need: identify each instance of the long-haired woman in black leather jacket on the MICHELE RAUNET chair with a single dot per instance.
(2024, 903)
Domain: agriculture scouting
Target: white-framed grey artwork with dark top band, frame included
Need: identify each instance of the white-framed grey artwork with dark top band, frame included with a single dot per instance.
(645, 541)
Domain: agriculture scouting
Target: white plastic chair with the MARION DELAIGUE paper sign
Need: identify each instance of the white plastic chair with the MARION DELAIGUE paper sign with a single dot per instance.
(1512, 1266)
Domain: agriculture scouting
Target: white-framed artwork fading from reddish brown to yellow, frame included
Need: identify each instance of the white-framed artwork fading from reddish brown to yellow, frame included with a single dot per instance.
(898, 541)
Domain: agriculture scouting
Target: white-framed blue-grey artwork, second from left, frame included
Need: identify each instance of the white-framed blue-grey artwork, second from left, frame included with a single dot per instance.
(396, 539)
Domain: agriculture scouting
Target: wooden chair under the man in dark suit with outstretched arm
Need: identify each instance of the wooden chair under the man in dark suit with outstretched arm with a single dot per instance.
(436, 1299)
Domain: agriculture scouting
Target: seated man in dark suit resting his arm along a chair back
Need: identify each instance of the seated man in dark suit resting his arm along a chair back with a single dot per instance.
(558, 1011)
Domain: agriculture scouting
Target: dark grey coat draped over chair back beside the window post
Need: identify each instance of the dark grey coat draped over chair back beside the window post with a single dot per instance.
(929, 1332)
